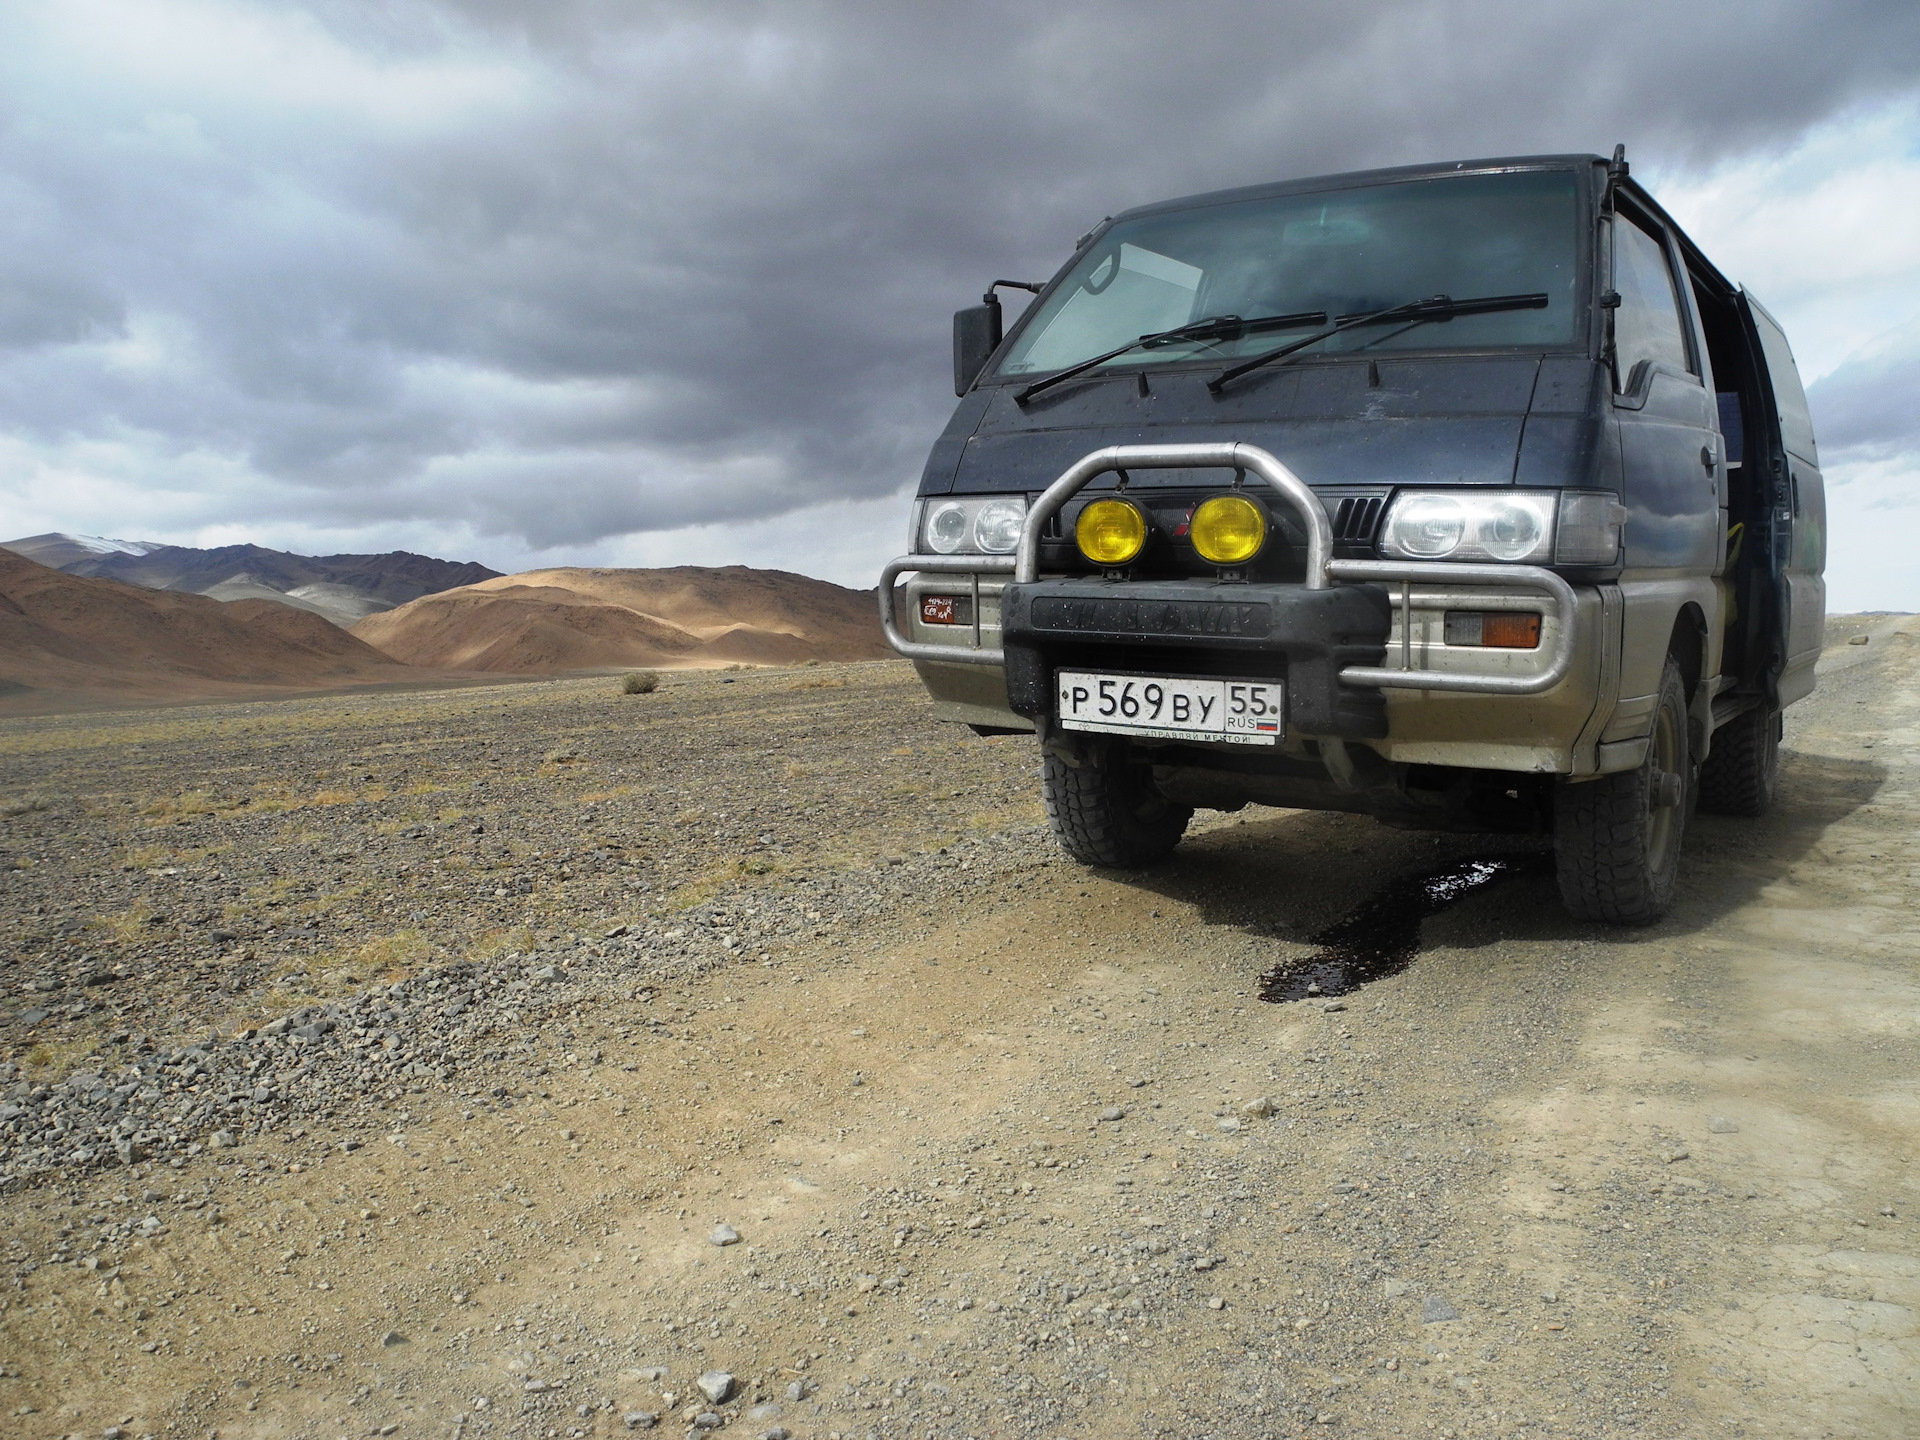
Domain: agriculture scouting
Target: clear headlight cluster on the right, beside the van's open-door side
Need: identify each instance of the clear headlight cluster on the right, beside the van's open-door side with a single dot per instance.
(1516, 527)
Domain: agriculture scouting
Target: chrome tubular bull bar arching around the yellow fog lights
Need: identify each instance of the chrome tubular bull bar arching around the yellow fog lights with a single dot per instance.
(1322, 571)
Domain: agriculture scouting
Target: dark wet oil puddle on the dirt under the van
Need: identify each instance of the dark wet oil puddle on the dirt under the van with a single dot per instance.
(1383, 936)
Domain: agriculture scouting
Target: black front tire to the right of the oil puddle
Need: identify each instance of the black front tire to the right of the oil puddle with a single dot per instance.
(1618, 838)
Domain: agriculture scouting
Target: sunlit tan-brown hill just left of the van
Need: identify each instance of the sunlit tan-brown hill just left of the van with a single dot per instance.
(552, 621)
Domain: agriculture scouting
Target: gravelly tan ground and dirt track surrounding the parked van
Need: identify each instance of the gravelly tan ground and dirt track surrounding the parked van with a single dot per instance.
(992, 1128)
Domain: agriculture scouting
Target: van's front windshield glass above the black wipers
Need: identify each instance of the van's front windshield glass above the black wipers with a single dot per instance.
(1341, 252)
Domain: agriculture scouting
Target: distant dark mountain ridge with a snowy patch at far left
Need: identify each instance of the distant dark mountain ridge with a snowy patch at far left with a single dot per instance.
(343, 588)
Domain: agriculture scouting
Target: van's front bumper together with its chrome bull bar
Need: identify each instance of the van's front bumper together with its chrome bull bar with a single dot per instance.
(1358, 644)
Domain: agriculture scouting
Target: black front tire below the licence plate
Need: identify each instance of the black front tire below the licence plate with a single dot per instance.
(1103, 805)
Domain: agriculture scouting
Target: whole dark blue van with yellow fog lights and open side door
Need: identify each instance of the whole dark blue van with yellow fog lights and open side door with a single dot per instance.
(1466, 496)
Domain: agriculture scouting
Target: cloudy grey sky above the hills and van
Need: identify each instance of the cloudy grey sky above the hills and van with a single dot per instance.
(562, 281)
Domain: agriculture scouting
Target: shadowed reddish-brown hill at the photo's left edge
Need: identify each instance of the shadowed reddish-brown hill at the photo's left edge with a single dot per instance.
(72, 640)
